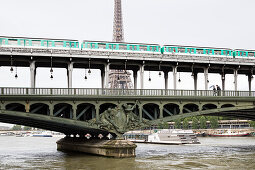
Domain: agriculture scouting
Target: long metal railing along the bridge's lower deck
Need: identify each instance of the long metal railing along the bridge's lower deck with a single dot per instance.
(6, 91)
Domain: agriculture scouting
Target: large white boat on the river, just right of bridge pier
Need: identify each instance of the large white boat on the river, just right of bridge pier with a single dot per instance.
(163, 136)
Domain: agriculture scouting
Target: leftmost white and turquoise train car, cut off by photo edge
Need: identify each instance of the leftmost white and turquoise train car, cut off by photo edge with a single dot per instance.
(38, 42)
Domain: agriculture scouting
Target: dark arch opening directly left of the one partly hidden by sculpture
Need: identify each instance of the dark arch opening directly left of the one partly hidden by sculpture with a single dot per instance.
(85, 111)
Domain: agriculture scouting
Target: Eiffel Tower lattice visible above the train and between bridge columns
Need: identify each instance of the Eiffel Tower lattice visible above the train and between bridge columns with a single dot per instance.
(119, 78)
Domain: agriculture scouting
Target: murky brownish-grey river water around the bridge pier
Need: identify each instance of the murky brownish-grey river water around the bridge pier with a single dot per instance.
(213, 153)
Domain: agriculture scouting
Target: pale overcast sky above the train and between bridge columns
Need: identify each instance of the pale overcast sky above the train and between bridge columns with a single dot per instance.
(212, 23)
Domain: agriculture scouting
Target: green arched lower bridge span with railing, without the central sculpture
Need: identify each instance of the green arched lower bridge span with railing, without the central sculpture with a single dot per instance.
(70, 110)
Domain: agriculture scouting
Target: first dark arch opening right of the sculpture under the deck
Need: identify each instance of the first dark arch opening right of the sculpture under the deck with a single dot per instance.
(150, 111)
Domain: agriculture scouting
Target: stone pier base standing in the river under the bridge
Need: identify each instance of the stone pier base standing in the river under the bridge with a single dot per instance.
(108, 148)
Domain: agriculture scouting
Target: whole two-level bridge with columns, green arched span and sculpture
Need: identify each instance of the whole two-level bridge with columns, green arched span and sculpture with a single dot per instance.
(79, 111)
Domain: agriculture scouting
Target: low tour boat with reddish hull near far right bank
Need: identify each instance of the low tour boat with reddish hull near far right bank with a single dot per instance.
(228, 133)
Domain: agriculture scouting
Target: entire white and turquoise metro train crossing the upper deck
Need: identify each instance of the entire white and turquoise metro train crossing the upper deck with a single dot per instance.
(122, 46)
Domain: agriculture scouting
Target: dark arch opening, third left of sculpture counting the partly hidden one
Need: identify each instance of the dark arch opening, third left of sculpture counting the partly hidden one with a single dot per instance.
(63, 110)
